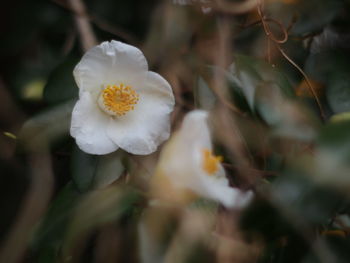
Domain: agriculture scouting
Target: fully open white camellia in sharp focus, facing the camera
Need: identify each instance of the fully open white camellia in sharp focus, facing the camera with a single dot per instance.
(121, 103)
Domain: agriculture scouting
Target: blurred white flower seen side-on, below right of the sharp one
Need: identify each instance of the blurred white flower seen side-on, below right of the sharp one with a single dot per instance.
(187, 162)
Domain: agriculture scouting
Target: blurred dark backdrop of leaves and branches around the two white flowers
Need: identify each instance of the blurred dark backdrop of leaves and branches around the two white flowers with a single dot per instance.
(274, 73)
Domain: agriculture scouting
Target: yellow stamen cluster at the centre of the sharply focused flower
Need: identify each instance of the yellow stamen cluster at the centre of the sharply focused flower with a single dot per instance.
(118, 100)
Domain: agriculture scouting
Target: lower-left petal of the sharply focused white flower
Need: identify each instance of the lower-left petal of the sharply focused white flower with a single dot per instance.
(89, 125)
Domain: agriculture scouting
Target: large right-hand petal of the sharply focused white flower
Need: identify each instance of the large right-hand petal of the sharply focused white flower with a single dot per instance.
(141, 131)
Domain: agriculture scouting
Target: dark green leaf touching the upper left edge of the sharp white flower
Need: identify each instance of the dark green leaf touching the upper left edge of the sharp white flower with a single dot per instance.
(60, 85)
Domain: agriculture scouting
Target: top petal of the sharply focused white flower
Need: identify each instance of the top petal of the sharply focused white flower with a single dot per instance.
(110, 63)
